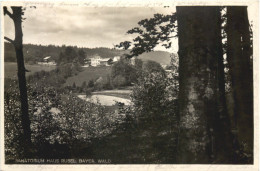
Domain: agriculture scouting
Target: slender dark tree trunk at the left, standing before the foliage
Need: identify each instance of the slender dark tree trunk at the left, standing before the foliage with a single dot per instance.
(18, 44)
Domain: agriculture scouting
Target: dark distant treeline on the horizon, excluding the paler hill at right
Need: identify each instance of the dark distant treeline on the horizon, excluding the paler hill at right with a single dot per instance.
(34, 53)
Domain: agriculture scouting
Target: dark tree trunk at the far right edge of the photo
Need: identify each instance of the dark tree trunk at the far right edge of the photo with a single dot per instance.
(238, 56)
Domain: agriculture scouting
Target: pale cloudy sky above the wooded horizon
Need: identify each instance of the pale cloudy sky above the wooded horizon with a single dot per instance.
(82, 26)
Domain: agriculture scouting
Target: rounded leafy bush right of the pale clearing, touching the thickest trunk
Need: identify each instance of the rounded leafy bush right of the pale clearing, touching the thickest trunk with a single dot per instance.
(153, 93)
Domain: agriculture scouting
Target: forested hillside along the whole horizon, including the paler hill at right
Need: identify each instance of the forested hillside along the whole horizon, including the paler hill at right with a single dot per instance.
(34, 53)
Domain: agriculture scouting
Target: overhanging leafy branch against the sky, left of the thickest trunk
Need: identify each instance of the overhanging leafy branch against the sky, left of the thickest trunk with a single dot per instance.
(151, 32)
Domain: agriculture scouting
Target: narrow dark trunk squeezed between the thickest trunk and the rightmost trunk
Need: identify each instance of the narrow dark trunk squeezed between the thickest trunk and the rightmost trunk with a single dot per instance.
(222, 124)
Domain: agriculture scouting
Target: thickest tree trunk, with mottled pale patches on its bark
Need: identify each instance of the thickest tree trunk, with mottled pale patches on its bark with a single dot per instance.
(201, 86)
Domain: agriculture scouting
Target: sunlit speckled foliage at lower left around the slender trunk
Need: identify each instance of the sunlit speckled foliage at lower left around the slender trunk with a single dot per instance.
(57, 118)
